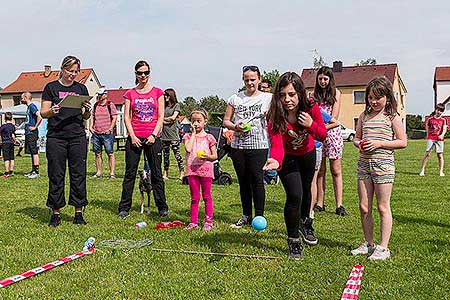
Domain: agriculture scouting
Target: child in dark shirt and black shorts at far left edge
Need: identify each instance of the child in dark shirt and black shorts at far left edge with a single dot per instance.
(7, 132)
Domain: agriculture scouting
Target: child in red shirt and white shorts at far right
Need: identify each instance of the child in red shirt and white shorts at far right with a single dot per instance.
(436, 127)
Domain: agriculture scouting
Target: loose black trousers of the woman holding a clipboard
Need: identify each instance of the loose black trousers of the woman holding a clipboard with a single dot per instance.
(59, 152)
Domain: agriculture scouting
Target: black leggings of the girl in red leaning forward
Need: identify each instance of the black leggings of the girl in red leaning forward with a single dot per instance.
(296, 175)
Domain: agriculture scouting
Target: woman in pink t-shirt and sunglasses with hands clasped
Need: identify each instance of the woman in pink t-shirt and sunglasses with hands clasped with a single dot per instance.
(144, 116)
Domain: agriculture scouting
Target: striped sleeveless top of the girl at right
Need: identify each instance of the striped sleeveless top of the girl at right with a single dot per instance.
(377, 128)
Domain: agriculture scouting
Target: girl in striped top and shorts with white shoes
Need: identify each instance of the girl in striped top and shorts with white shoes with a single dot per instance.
(374, 137)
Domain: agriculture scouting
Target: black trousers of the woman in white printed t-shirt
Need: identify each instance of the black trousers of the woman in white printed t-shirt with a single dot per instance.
(248, 165)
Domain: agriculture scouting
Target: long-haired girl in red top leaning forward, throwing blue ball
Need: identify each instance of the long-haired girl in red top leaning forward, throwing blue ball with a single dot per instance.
(294, 122)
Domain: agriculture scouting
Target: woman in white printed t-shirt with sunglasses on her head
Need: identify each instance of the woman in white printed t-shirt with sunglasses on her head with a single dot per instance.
(245, 114)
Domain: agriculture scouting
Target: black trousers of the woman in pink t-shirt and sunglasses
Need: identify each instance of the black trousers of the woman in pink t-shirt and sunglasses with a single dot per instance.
(153, 153)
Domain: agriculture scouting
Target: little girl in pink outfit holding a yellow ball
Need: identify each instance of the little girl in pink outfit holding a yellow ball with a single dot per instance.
(201, 151)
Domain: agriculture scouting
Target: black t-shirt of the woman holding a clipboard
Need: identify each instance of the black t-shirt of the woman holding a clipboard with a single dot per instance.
(68, 123)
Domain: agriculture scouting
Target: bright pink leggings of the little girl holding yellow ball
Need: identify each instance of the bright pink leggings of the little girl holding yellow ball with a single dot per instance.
(194, 185)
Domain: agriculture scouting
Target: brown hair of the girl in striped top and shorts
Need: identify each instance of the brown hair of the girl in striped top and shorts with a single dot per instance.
(380, 87)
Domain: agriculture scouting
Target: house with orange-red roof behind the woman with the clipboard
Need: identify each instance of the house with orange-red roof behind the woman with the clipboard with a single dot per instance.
(35, 81)
